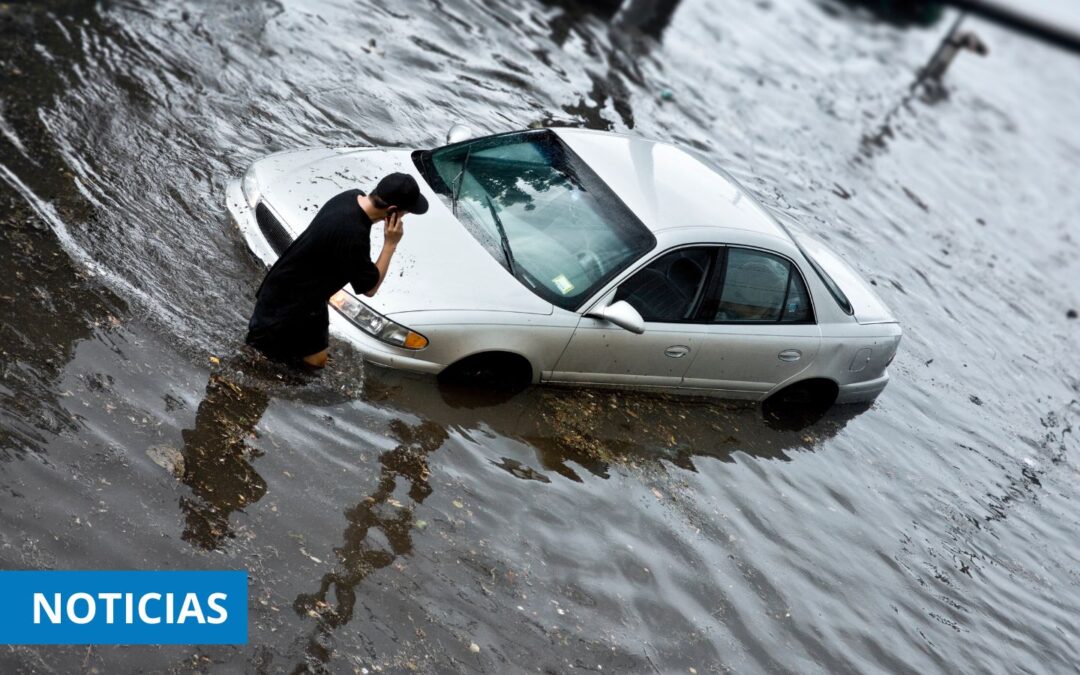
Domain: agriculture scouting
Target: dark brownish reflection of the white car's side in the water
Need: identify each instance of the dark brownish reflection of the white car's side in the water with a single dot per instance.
(591, 430)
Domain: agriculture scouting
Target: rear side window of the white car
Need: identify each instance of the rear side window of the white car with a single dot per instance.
(760, 287)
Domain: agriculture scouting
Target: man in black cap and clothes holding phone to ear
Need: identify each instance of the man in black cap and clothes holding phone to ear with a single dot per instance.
(291, 318)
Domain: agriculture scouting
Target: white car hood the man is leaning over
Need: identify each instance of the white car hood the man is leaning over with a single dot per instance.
(439, 265)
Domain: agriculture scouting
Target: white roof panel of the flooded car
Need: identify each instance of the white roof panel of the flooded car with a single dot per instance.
(668, 187)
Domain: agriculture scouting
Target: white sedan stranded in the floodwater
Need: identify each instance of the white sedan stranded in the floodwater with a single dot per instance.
(583, 258)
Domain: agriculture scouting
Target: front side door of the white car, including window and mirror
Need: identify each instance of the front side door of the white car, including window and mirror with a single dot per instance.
(668, 293)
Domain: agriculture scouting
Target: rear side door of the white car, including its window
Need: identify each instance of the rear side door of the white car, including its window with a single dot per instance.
(762, 329)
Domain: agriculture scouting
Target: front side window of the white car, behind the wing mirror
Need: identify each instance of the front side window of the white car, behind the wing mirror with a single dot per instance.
(671, 288)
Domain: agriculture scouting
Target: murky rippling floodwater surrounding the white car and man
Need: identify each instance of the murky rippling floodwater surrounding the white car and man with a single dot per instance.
(390, 525)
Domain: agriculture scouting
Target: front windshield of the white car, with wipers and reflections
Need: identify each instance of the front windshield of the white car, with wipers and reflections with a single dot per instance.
(539, 211)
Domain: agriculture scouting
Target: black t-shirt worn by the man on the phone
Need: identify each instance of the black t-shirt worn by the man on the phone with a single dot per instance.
(334, 251)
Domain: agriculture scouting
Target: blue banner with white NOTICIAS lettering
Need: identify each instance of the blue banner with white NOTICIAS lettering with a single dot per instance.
(124, 607)
